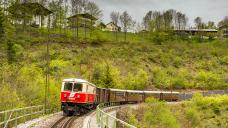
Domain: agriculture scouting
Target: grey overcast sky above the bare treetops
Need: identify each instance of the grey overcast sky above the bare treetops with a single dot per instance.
(213, 10)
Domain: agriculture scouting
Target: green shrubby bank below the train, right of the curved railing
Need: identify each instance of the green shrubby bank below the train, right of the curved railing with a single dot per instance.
(200, 112)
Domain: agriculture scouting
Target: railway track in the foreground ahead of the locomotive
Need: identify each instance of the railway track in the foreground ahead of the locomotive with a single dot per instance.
(64, 122)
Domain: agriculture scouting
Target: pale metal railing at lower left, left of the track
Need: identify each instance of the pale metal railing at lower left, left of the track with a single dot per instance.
(11, 118)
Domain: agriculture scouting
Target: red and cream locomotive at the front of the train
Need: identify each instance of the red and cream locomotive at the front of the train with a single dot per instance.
(77, 95)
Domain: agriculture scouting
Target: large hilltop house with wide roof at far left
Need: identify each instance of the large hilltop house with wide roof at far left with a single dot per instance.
(33, 14)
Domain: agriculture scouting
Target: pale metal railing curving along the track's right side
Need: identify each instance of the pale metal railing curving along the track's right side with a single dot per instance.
(106, 120)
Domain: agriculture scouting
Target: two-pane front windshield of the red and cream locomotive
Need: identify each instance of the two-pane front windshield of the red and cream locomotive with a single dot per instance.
(75, 87)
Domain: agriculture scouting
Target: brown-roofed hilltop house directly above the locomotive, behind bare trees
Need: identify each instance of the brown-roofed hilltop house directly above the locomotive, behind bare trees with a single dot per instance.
(81, 20)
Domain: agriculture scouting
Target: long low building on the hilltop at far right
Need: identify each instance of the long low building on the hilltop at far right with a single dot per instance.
(201, 32)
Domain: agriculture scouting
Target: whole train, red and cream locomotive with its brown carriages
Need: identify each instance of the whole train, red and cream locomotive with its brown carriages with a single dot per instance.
(78, 96)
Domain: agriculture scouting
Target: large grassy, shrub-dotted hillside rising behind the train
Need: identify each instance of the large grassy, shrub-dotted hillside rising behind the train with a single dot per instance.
(137, 64)
